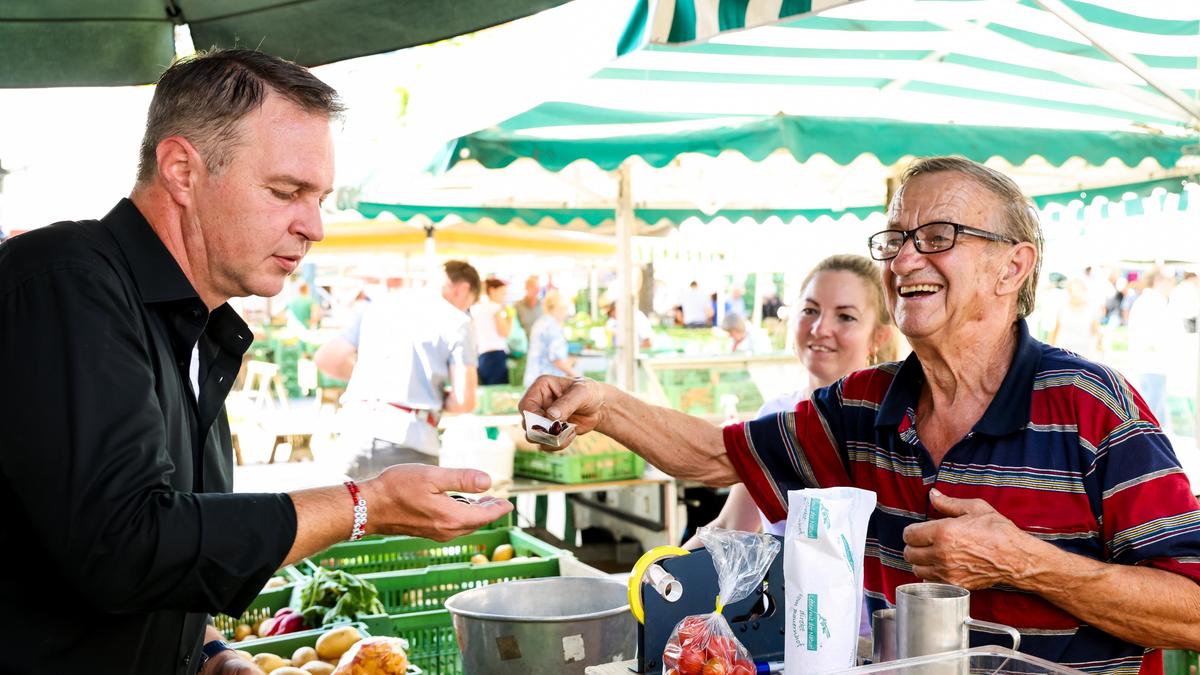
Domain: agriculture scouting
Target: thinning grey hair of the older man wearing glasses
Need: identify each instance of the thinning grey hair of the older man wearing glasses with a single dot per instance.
(1019, 219)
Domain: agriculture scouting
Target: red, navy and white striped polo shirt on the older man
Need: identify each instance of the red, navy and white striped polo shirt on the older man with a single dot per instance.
(1067, 451)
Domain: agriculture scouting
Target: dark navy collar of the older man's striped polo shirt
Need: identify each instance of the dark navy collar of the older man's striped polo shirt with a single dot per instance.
(1009, 411)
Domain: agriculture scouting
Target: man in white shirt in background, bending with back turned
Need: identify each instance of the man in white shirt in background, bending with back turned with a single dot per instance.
(409, 359)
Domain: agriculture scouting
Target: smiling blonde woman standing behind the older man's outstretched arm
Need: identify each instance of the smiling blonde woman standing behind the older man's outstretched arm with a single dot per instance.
(842, 326)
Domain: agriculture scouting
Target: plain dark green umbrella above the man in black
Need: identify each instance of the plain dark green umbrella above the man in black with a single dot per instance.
(91, 44)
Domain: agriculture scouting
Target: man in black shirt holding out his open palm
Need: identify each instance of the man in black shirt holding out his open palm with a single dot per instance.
(117, 353)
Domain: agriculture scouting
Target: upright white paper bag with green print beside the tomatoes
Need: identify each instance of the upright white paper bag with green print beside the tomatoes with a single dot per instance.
(824, 572)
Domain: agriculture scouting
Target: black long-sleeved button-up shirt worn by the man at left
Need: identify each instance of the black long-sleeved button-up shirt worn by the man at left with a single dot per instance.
(119, 535)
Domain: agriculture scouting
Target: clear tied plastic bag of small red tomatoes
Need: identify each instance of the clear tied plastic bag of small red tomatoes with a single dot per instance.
(705, 644)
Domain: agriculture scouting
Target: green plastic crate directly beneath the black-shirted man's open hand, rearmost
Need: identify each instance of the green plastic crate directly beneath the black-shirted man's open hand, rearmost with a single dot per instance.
(391, 554)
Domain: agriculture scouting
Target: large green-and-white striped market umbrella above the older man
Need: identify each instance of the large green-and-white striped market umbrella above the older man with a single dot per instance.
(1066, 89)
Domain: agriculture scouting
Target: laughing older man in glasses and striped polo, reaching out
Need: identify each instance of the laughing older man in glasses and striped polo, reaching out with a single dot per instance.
(1027, 474)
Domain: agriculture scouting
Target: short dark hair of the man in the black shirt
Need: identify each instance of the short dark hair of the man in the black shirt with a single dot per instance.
(205, 98)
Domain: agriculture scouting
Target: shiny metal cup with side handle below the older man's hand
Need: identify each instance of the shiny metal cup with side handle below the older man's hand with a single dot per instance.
(934, 619)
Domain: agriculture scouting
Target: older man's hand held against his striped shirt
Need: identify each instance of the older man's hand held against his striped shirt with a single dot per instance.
(975, 547)
